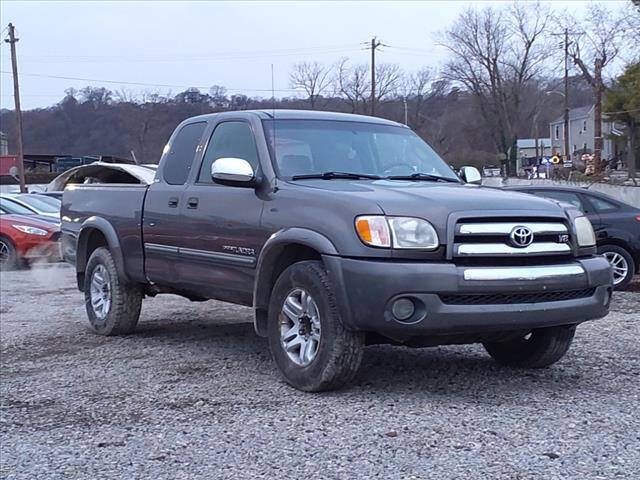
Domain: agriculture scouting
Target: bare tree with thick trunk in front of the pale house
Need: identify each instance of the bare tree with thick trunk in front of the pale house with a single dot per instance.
(597, 45)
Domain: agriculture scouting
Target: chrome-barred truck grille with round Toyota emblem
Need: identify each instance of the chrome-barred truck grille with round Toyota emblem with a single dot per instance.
(509, 237)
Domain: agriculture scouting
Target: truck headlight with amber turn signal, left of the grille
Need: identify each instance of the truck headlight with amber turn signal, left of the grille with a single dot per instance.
(406, 232)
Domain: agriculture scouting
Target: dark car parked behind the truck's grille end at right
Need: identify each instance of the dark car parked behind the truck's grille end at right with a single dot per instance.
(617, 225)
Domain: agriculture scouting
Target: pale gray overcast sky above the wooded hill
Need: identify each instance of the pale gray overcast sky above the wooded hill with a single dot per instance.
(200, 44)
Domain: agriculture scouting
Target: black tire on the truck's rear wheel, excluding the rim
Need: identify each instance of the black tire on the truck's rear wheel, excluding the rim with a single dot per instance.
(126, 299)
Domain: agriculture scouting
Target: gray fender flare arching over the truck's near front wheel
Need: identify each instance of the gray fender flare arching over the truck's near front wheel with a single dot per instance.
(282, 249)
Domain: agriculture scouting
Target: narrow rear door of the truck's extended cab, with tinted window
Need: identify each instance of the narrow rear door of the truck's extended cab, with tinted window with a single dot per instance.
(162, 226)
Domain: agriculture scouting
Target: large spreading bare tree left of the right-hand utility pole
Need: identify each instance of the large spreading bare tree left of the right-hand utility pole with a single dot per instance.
(496, 53)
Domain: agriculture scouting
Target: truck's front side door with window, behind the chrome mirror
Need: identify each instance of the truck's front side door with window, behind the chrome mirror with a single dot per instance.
(221, 233)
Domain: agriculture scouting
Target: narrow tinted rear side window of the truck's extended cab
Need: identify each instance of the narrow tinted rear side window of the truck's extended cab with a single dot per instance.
(183, 150)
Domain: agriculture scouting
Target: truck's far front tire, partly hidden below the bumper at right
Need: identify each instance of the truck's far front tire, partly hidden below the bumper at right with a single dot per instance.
(543, 347)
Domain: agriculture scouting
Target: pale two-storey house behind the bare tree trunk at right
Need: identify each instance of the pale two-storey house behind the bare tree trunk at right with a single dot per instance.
(581, 123)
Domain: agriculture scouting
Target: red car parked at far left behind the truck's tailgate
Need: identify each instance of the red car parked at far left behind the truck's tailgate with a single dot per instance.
(24, 239)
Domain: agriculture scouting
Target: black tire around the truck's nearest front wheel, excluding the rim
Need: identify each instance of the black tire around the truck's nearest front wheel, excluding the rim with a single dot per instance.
(339, 350)
